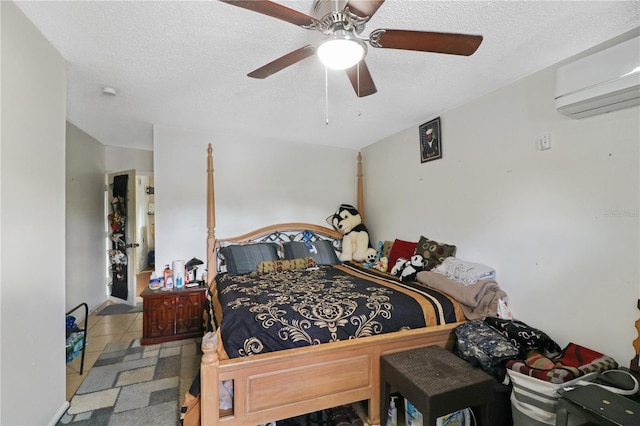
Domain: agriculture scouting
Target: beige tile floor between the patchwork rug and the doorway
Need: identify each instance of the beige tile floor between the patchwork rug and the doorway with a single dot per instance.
(102, 330)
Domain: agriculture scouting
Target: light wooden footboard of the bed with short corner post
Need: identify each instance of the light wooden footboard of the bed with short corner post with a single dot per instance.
(290, 383)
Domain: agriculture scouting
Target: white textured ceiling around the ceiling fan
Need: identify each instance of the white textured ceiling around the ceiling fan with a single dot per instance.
(184, 64)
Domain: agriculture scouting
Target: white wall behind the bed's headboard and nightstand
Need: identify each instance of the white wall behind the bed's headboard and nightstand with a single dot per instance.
(256, 185)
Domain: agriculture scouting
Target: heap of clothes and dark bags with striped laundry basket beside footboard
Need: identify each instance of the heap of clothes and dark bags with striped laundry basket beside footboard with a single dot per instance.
(529, 362)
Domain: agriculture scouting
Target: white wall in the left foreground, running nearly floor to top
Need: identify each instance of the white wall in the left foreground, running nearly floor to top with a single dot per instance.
(32, 170)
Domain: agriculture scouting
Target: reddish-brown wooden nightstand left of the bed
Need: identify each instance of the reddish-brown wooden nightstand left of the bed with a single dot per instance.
(172, 314)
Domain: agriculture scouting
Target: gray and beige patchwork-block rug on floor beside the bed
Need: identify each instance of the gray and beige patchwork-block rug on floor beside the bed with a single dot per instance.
(130, 384)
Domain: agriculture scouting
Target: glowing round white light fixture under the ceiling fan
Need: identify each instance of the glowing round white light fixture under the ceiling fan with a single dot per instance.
(341, 51)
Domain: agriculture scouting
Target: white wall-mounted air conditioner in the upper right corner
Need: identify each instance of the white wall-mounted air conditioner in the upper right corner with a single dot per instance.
(605, 81)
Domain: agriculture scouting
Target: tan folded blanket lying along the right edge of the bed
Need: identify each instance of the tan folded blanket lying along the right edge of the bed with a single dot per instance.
(477, 300)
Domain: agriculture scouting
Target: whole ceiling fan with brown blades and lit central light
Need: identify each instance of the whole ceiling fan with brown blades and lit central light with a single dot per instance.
(343, 48)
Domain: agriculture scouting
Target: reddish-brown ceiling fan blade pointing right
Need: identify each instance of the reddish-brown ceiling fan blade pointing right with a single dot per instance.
(454, 44)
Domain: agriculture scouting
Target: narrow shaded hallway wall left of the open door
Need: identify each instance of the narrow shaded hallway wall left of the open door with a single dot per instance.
(85, 221)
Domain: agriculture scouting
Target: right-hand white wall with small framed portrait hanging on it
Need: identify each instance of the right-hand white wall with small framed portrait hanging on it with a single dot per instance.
(561, 226)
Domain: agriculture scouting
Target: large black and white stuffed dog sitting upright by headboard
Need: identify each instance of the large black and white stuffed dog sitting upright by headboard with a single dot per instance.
(355, 240)
